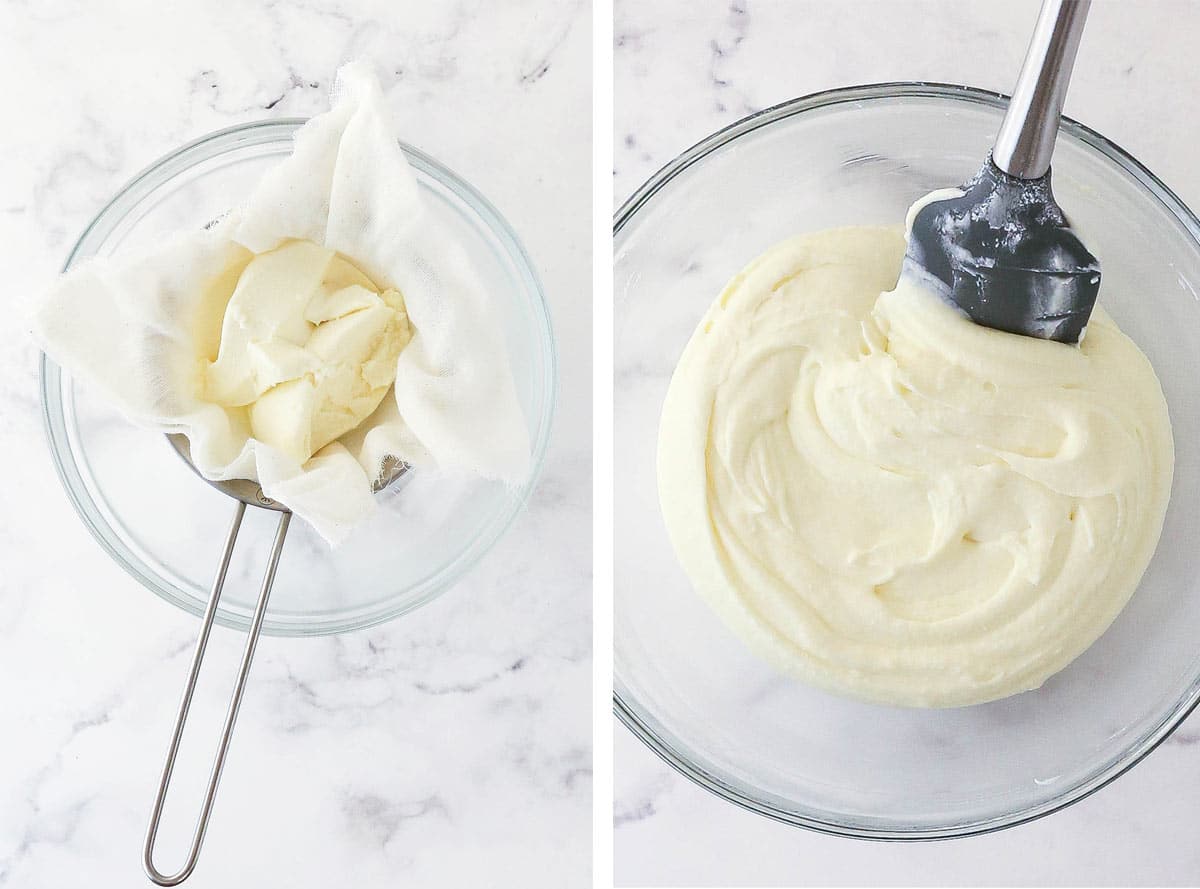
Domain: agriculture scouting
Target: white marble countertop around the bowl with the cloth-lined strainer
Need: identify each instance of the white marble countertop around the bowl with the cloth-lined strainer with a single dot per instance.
(447, 749)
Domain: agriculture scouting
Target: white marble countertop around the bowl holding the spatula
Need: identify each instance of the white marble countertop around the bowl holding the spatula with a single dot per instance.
(685, 70)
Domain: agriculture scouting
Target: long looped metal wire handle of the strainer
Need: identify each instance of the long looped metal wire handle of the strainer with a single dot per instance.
(235, 702)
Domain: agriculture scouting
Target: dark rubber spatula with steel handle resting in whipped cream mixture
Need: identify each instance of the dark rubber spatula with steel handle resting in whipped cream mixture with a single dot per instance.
(1003, 250)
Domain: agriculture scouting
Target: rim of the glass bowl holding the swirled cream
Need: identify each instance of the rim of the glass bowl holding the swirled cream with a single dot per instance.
(664, 743)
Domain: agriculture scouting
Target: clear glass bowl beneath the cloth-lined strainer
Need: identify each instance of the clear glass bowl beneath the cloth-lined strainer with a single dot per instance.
(166, 526)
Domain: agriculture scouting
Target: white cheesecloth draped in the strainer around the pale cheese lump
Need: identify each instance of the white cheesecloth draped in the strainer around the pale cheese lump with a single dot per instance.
(137, 326)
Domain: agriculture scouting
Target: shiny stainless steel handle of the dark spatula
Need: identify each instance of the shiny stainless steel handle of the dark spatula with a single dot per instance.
(1027, 139)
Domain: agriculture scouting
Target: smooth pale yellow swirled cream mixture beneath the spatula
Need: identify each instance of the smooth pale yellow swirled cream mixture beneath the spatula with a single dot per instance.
(892, 503)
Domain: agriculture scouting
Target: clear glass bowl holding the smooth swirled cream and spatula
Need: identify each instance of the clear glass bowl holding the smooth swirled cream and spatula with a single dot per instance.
(691, 690)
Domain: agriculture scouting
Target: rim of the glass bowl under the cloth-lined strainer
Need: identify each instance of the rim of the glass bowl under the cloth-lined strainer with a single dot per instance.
(279, 131)
